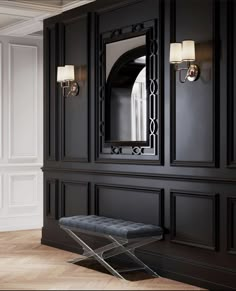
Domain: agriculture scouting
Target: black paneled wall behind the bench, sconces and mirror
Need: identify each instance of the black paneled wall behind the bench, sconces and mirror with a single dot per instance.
(185, 179)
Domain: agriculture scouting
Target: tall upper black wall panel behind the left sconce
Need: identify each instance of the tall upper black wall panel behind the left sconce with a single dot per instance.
(75, 109)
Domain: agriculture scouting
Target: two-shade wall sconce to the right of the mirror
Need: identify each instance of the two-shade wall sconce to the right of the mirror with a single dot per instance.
(184, 52)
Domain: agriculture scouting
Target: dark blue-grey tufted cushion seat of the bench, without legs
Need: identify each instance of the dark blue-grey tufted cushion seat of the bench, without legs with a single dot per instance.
(111, 226)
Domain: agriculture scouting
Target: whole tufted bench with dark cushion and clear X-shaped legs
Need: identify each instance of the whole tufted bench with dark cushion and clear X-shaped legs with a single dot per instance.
(125, 237)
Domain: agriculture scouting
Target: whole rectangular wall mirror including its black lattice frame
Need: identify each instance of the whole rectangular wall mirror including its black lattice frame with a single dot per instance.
(129, 95)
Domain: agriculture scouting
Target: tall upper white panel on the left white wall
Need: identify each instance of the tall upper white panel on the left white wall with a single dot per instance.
(23, 79)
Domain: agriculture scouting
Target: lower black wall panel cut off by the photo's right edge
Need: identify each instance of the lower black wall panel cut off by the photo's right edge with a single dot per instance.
(231, 224)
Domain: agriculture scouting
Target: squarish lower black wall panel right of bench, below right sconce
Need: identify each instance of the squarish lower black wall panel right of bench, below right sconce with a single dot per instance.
(194, 219)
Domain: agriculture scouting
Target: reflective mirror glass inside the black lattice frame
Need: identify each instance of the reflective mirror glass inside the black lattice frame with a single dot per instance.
(126, 92)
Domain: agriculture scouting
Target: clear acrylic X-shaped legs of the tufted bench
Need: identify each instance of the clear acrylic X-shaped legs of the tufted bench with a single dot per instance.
(116, 247)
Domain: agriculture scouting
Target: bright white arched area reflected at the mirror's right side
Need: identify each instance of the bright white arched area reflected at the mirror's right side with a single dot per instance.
(139, 108)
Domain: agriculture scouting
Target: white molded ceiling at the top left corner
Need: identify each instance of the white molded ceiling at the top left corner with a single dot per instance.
(24, 18)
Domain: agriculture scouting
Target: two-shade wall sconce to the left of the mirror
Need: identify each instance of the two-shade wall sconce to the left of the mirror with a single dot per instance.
(66, 77)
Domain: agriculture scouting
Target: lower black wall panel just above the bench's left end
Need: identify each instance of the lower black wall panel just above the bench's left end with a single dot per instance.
(74, 199)
